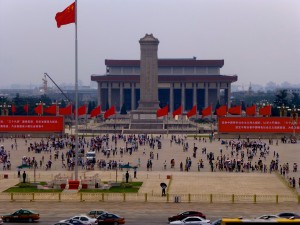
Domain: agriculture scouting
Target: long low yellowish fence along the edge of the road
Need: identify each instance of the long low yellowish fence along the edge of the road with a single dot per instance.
(136, 197)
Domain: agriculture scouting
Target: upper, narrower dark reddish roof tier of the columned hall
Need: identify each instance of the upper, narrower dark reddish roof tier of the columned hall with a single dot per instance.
(167, 62)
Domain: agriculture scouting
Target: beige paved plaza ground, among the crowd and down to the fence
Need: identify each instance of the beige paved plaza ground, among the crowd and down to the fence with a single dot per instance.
(183, 182)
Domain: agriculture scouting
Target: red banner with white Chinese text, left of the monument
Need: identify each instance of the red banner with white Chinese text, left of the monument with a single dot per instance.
(31, 124)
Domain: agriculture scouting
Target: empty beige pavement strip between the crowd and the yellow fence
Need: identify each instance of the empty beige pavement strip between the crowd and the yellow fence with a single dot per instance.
(195, 183)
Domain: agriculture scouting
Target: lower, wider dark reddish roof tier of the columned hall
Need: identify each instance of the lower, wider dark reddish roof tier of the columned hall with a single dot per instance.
(166, 78)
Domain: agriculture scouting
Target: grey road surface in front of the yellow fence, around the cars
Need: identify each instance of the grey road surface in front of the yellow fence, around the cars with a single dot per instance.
(144, 213)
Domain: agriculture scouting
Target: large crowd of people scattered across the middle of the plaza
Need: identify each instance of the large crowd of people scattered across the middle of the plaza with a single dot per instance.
(142, 151)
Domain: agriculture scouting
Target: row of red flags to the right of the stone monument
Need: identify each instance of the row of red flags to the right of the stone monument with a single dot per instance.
(221, 111)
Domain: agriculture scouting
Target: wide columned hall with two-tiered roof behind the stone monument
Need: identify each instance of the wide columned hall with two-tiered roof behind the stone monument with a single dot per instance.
(185, 82)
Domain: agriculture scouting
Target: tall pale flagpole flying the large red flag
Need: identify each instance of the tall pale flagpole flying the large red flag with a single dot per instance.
(76, 95)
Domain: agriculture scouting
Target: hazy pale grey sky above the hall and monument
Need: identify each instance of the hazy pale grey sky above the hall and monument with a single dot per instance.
(258, 39)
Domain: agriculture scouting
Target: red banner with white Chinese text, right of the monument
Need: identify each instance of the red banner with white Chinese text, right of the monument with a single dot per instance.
(258, 125)
